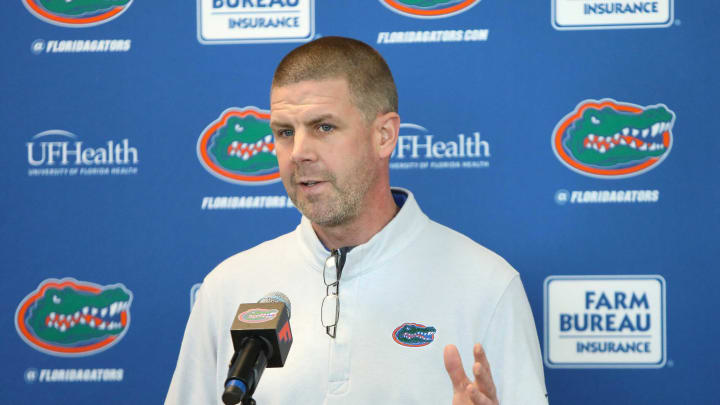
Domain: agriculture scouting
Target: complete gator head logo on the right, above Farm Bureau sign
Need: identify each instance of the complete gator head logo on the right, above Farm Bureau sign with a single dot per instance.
(610, 139)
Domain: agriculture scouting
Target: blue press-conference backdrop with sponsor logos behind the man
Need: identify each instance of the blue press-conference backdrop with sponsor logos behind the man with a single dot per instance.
(120, 195)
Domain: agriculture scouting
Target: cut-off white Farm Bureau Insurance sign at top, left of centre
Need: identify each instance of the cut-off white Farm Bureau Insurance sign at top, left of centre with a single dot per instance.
(255, 21)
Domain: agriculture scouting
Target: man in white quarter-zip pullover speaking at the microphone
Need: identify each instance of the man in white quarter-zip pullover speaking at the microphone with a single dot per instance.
(401, 290)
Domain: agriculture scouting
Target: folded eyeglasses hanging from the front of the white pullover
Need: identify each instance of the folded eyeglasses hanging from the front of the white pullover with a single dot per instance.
(332, 270)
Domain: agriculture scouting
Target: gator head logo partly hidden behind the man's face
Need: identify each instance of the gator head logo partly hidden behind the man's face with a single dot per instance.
(238, 147)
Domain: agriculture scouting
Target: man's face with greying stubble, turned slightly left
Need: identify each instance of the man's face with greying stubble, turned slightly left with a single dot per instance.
(324, 149)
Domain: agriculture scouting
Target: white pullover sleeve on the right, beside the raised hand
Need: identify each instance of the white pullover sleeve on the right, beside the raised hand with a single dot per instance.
(513, 351)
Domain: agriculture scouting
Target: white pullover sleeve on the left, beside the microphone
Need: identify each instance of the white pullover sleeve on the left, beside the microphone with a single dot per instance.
(194, 380)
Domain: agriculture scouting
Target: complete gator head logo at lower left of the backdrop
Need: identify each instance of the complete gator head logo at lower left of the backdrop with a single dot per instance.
(71, 318)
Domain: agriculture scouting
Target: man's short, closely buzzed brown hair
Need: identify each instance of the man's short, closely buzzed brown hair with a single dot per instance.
(370, 82)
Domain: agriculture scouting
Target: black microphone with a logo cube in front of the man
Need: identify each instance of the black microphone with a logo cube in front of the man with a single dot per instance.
(262, 338)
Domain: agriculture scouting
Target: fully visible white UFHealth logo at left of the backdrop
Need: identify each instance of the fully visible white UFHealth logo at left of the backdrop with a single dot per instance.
(60, 153)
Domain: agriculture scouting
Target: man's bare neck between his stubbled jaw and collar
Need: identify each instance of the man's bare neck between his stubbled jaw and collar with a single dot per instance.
(362, 228)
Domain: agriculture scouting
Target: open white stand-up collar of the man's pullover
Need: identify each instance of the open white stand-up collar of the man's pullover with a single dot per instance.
(391, 240)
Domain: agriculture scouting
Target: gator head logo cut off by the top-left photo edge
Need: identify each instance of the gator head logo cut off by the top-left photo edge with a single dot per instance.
(77, 13)
